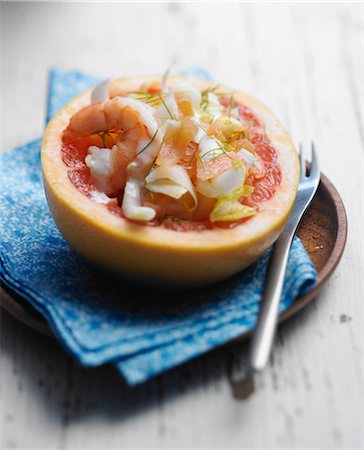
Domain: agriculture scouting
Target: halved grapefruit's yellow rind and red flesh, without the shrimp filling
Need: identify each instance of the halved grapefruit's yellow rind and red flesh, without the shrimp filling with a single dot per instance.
(181, 244)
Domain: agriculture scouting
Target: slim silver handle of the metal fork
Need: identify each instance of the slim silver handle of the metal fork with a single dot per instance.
(268, 315)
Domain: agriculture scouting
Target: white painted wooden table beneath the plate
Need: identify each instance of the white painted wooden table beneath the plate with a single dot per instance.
(306, 62)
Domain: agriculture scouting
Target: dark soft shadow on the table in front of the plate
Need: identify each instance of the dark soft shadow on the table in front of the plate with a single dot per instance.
(70, 393)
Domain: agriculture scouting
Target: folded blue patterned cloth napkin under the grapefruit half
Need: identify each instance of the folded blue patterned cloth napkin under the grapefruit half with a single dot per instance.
(98, 318)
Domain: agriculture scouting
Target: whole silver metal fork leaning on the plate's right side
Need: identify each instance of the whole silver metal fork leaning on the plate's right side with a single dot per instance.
(268, 315)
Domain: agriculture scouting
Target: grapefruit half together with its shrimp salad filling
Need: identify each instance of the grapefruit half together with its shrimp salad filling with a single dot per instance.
(174, 180)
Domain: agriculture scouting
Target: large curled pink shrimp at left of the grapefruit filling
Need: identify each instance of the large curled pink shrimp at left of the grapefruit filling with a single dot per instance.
(138, 139)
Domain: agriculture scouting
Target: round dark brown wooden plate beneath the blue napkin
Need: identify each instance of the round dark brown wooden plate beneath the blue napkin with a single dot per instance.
(323, 232)
